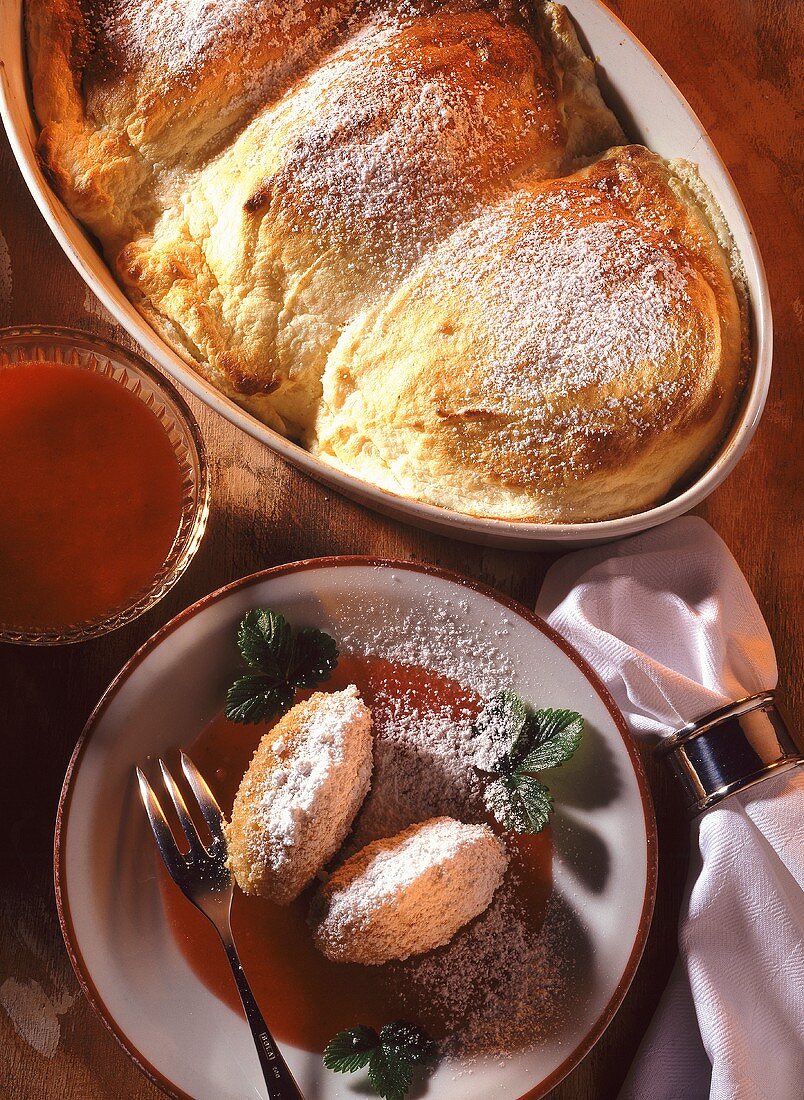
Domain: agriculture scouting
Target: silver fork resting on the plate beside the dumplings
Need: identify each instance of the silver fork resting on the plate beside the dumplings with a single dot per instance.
(204, 878)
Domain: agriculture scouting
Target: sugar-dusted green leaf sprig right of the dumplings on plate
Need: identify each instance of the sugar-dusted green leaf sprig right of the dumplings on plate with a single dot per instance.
(535, 741)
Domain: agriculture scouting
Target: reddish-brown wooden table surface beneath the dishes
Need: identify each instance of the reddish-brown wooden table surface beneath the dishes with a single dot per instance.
(737, 64)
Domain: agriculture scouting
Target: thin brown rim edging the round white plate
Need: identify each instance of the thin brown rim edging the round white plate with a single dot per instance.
(82, 971)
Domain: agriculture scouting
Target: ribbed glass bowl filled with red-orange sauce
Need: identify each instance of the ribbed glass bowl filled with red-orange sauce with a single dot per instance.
(103, 487)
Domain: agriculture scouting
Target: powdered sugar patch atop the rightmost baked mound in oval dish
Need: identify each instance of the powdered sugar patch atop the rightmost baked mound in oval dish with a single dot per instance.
(570, 303)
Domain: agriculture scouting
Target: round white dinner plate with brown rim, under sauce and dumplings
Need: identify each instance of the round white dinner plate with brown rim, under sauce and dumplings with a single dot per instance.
(125, 954)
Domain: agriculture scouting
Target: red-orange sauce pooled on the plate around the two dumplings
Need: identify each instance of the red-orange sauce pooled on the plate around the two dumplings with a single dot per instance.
(306, 997)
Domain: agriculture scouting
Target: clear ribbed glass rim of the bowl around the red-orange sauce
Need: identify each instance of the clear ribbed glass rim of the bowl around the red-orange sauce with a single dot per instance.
(32, 344)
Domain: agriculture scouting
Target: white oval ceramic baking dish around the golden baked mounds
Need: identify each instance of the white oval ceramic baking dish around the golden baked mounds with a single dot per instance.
(652, 111)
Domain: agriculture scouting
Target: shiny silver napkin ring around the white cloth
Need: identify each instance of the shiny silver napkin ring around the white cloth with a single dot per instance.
(730, 751)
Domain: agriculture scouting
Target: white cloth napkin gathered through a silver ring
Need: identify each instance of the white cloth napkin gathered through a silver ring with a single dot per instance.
(670, 625)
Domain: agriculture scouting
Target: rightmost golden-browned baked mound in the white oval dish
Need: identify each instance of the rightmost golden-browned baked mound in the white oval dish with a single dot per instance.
(579, 344)
